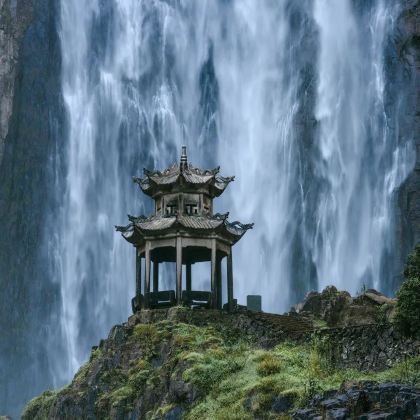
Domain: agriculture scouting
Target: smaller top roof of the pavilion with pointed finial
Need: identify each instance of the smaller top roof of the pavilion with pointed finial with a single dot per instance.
(184, 176)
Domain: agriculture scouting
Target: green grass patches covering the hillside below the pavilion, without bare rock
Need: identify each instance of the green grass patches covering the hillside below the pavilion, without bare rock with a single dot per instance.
(233, 378)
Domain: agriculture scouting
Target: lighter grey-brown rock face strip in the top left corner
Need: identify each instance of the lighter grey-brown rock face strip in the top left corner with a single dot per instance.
(15, 17)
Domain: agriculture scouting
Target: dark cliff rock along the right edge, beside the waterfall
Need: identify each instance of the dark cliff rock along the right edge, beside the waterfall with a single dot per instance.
(403, 67)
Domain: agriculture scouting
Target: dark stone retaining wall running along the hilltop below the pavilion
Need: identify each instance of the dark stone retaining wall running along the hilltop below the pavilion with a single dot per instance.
(365, 347)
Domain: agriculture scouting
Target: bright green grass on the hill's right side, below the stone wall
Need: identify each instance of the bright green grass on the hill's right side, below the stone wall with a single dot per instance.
(290, 372)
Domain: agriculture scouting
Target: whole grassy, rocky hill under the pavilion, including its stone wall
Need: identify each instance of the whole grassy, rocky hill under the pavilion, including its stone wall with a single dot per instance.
(207, 364)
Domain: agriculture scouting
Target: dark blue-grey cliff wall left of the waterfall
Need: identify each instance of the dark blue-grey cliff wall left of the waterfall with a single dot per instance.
(27, 297)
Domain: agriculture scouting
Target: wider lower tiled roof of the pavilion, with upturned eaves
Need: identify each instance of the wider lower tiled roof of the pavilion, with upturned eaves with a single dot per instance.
(199, 225)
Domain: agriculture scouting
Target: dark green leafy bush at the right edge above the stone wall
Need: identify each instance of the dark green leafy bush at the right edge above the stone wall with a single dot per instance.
(408, 304)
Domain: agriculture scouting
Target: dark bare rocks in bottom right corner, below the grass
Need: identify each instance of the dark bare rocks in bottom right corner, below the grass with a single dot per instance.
(369, 401)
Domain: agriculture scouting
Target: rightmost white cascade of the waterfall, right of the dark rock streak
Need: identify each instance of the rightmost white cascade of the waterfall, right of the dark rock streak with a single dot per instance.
(361, 163)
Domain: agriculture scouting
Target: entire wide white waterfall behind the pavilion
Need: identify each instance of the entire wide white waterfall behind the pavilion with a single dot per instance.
(287, 96)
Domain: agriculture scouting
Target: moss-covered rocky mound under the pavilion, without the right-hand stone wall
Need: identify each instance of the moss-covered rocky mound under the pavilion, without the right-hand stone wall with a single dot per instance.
(189, 364)
